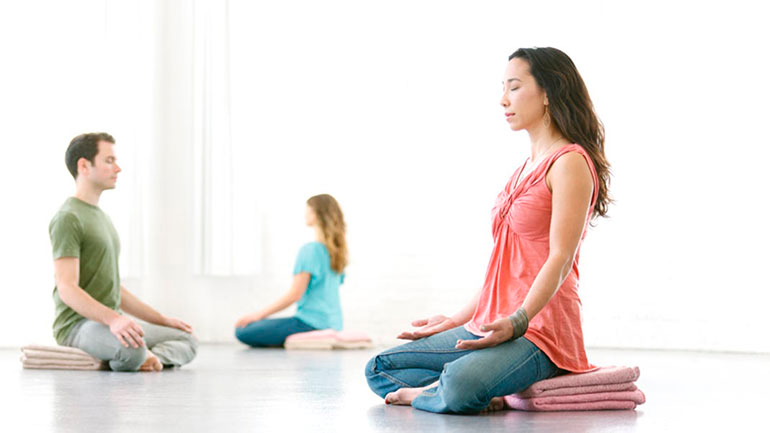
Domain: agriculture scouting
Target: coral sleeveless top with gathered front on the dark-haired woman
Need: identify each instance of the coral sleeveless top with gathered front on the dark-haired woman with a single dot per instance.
(521, 220)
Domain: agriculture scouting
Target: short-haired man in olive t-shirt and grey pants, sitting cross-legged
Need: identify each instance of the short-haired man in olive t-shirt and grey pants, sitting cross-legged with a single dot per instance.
(89, 298)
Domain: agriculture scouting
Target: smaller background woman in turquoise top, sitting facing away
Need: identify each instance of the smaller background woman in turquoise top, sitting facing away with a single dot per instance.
(318, 273)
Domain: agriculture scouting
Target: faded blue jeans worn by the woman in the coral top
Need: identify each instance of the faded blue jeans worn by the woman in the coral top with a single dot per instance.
(468, 379)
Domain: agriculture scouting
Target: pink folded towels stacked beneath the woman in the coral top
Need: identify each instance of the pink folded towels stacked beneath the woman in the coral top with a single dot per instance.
(604, 388)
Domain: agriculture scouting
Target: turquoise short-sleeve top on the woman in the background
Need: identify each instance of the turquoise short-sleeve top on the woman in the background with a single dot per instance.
(320, 306)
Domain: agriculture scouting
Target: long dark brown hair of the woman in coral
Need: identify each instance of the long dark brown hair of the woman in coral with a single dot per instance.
(571, 110)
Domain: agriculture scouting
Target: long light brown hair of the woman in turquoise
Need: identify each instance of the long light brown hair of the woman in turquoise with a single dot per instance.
(332, 224)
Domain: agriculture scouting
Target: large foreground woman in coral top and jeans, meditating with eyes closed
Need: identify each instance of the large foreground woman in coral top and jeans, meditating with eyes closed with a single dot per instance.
(524, 325)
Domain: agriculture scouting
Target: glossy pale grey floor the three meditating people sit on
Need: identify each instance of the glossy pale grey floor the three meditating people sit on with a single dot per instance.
(234, 389)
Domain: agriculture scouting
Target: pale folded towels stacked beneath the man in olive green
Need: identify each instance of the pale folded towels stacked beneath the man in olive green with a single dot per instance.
(59, 358)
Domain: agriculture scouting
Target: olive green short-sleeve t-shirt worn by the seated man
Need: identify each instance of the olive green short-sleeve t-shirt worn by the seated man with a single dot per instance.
(82, 230)
